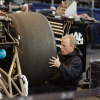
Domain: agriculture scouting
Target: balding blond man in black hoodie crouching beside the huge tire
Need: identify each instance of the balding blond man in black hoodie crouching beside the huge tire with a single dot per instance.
(68, 68)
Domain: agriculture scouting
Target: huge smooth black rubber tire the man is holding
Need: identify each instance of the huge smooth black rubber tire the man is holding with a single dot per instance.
(37, 44)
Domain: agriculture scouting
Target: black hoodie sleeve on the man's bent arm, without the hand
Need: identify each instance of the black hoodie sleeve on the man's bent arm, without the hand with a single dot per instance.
(72, 70)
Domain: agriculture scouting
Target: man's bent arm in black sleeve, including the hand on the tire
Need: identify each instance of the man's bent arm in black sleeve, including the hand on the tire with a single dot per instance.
(70, 71)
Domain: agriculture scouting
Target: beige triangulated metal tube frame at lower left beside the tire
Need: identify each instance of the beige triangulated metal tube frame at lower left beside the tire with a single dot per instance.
(11, 80)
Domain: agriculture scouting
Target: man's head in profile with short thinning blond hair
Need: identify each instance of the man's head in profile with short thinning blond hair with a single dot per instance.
(68, 44)
